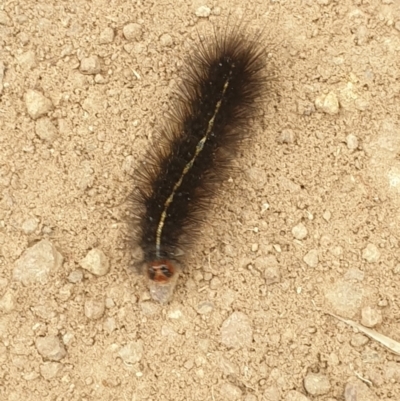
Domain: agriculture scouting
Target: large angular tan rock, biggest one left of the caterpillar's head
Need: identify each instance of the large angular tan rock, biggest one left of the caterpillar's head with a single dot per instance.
(37, 262)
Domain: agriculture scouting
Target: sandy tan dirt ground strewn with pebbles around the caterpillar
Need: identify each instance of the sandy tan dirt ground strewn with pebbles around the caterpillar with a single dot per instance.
(310, 226)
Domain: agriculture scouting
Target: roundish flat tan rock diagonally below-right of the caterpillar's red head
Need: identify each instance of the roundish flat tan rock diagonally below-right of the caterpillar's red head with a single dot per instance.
(236, 331)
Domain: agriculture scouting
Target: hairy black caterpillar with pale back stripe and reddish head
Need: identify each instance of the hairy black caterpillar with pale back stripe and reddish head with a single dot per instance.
(219, 93)
